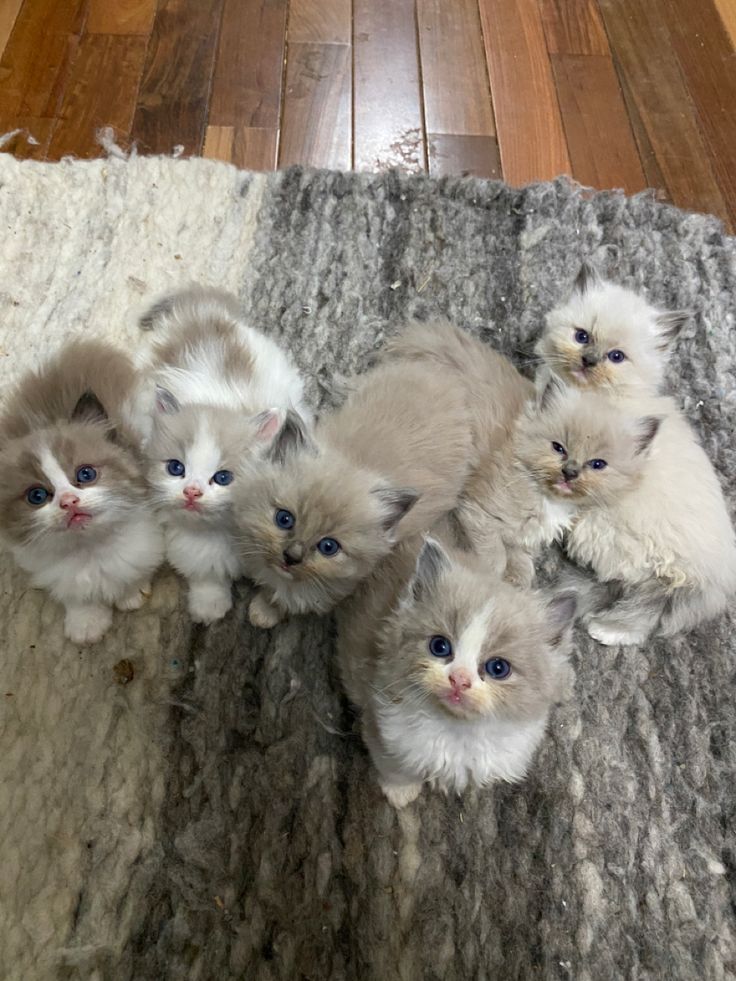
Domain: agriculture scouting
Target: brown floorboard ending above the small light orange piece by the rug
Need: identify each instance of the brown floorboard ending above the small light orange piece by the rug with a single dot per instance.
(246, 90)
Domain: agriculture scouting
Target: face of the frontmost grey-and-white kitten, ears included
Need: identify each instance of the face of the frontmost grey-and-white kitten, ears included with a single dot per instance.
(476, 649)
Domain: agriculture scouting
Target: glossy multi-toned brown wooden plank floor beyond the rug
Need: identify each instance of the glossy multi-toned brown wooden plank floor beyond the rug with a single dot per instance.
(616, 93)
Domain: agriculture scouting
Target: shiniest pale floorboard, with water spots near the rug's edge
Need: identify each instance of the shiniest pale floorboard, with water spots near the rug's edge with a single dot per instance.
(388, 129)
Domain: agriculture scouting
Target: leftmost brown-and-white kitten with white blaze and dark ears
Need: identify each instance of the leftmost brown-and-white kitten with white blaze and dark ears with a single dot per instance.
(73, 503)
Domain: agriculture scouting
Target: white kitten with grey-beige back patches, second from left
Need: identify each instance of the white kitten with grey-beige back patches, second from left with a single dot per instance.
(222, 391)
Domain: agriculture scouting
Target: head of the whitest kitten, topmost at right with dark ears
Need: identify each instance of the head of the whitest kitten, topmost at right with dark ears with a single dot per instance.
(605, 336)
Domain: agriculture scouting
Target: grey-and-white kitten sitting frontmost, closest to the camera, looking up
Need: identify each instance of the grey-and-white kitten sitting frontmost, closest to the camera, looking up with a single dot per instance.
(455, 671)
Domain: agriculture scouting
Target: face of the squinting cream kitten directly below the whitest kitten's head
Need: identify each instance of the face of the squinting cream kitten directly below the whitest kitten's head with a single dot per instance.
(582, 447)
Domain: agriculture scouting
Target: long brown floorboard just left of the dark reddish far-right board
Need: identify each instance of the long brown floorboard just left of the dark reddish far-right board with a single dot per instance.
(641, 42)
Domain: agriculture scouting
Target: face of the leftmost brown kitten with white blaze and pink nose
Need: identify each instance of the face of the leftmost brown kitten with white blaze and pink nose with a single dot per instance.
(66, 484)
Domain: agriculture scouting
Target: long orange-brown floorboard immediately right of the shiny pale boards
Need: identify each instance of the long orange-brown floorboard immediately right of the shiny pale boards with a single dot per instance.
(530, 133)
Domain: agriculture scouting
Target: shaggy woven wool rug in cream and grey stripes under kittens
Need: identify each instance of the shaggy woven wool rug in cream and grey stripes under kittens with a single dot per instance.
(183, 802)
